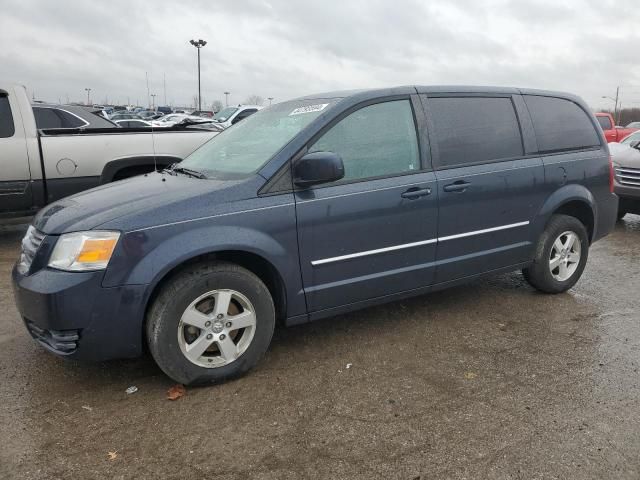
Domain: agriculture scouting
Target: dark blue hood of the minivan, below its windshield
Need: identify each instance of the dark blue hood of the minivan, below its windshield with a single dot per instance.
(135, 196)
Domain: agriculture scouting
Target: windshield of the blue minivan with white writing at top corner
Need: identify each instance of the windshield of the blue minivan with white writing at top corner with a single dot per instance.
(245, 147)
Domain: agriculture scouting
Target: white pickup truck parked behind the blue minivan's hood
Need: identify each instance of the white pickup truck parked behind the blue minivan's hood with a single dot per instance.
(40, 166)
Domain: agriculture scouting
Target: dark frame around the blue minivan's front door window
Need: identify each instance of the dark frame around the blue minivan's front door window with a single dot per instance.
(419, 121)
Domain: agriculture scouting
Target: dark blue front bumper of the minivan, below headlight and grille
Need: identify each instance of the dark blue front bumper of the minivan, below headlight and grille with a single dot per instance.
(71, 314)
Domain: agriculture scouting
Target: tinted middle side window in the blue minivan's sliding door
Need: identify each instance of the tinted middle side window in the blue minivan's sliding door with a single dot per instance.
(475, 129)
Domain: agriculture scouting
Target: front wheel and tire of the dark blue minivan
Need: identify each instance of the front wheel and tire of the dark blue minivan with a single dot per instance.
(192, 298)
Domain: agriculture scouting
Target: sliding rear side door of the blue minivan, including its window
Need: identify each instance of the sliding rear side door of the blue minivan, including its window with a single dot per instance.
(489, 189)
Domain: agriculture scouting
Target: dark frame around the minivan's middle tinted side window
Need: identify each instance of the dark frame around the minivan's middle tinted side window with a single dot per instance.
(435, 153)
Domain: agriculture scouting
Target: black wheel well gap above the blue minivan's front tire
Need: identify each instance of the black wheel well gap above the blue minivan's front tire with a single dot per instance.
(256, 264)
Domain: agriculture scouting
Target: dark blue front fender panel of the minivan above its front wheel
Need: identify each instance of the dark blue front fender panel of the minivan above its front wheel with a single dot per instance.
(147, 256)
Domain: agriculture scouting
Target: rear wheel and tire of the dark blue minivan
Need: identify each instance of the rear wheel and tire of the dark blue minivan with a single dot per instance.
(558, 279)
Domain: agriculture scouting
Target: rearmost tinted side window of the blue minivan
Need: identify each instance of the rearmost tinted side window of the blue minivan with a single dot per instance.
(560, 124)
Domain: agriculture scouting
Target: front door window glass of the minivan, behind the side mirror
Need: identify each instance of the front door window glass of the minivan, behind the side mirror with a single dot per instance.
(377, 140)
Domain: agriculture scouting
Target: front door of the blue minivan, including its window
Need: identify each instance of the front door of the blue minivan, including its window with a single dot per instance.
(373, 233)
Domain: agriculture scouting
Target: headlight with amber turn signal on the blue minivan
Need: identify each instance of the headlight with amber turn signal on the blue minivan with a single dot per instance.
(81, 251)
